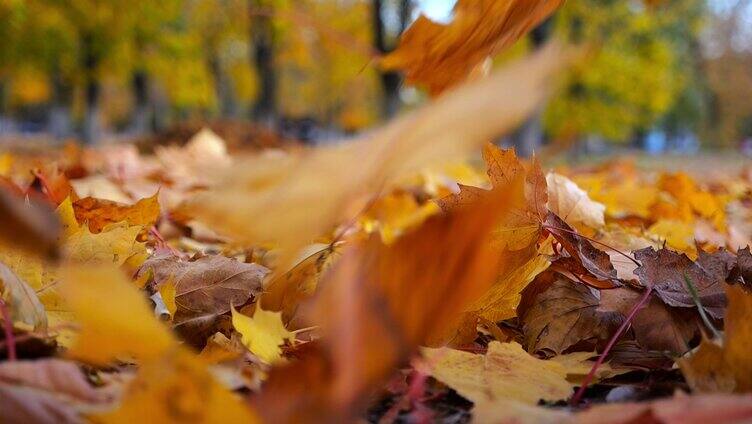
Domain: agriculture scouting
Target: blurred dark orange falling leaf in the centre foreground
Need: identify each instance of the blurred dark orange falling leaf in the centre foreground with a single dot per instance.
(380, 301)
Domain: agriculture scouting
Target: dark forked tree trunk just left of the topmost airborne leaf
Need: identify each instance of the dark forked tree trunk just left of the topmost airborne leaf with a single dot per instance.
(390, 81)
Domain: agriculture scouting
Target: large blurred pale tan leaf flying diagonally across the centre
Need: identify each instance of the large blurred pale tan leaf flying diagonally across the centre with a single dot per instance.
(268, 198)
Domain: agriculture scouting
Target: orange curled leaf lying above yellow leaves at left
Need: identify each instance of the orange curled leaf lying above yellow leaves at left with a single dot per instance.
(98, 213)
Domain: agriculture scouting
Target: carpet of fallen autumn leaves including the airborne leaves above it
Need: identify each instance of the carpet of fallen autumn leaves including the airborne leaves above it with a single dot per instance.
(385, 279)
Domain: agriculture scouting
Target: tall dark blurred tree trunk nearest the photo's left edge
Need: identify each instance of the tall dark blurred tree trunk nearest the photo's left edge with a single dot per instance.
(91, 60)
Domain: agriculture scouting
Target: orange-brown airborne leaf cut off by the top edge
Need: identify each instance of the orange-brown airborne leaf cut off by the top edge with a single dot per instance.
(439, 56)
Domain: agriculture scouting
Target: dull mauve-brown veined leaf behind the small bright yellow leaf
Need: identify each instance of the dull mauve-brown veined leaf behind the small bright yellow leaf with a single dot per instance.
(205, 288)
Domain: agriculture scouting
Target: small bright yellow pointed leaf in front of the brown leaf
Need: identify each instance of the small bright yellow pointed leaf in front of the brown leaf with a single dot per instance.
(262, 334)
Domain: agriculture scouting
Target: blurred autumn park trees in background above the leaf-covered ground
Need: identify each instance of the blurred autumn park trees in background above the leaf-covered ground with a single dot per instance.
(665, 75)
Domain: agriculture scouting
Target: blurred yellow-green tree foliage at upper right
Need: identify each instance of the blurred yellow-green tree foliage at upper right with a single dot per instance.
(635, 71)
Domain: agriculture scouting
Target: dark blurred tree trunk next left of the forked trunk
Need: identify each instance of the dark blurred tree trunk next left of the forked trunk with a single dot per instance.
(262, 56)
